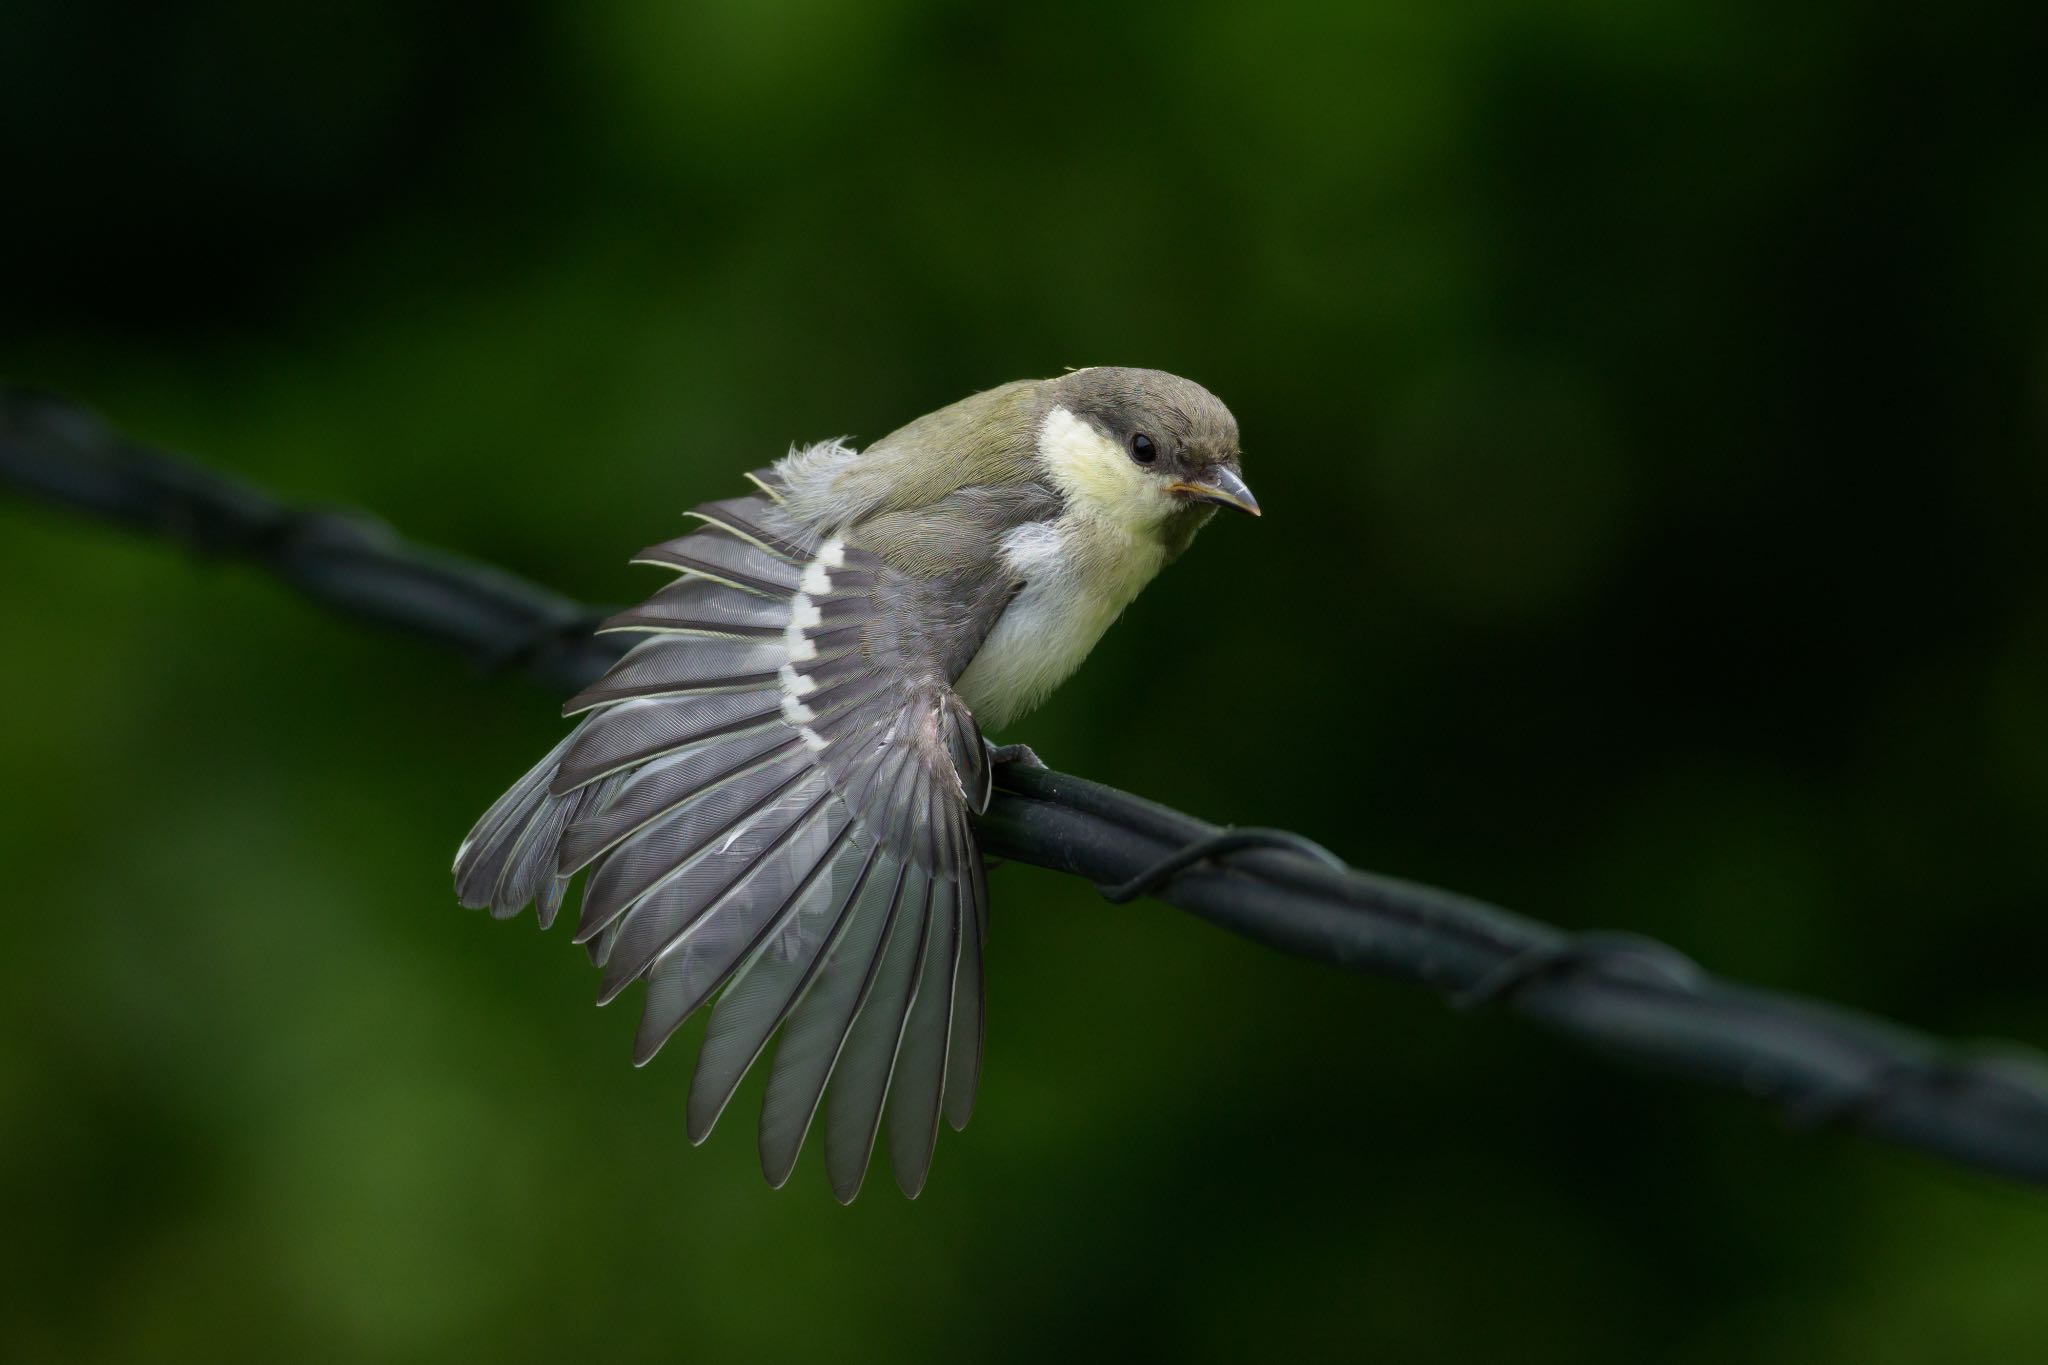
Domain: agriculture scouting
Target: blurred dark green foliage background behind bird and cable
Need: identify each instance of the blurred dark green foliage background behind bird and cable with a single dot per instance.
(1650, 402)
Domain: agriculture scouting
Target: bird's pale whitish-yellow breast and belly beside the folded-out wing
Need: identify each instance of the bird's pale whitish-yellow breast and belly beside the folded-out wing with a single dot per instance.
(1078, 578)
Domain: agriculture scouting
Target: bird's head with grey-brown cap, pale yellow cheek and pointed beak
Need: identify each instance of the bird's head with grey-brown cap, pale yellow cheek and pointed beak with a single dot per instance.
(1144, 449)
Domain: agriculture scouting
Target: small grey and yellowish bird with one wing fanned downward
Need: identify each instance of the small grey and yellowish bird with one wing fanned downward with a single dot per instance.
(773, 795)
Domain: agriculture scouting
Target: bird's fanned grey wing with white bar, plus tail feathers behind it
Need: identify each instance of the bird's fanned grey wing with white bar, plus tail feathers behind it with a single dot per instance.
(773, 803)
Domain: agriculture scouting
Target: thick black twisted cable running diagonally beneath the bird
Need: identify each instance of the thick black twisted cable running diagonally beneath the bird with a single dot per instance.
(1627, 996)
